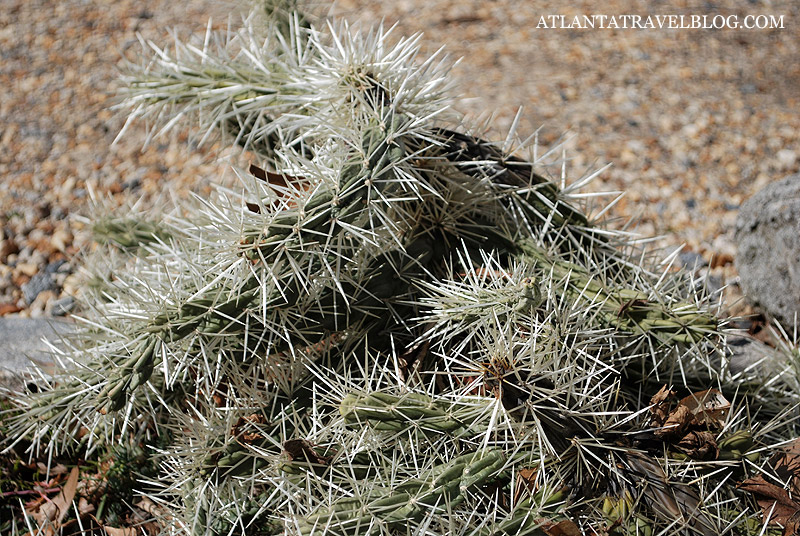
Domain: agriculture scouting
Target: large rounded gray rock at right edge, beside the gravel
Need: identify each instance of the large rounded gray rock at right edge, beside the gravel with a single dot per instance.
(768, 239)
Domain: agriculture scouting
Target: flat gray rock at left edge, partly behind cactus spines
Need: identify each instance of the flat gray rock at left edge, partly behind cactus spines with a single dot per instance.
(22, 344)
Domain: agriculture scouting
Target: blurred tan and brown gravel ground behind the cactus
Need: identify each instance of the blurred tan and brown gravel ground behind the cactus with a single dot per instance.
(692, 121)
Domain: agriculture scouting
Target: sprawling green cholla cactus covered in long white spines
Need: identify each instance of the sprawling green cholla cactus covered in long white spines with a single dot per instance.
(395, 326)
